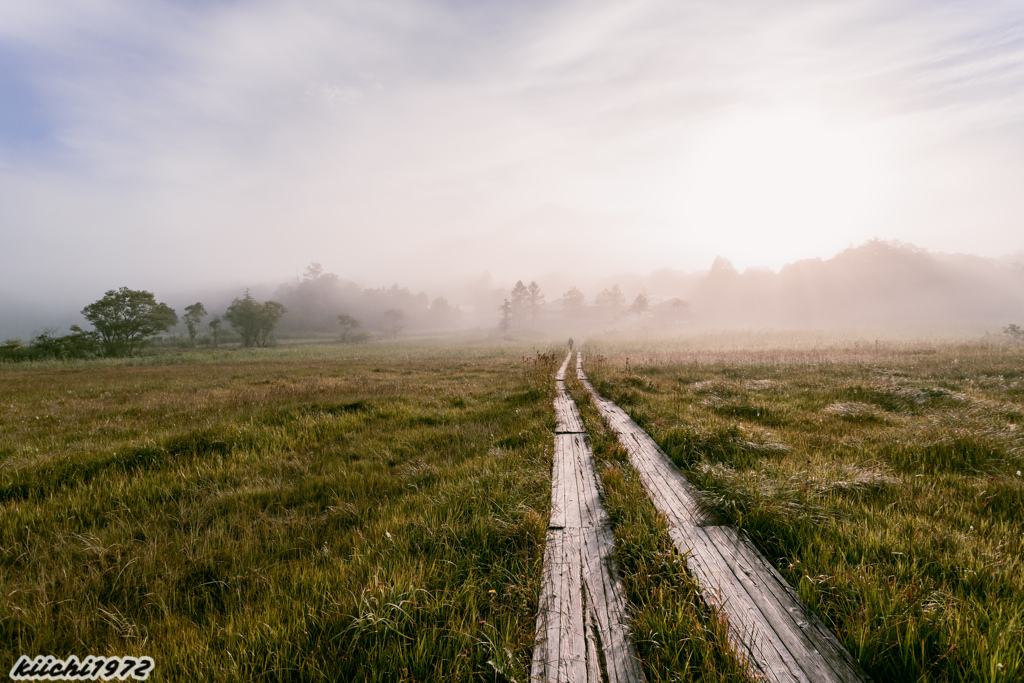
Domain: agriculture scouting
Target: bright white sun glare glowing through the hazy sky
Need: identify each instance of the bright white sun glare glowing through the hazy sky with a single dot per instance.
(794, 173)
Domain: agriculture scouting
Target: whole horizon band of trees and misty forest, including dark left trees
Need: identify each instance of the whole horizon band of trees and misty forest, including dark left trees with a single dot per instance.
(878, 283)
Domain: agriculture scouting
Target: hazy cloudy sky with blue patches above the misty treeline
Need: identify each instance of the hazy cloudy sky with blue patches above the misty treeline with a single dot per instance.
(189, 145)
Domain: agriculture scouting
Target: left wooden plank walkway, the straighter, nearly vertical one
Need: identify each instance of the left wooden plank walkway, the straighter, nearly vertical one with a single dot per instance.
(582, 633)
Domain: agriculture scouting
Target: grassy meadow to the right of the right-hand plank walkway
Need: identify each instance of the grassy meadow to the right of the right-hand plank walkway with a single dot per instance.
(884, 483)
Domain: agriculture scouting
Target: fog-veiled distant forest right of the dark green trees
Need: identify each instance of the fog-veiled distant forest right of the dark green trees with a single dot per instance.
(877, 283)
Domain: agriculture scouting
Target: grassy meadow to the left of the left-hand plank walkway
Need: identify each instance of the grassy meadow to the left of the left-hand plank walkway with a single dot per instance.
(305, 518)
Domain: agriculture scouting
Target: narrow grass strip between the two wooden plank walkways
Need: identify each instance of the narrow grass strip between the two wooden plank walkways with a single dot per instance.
(677, 636)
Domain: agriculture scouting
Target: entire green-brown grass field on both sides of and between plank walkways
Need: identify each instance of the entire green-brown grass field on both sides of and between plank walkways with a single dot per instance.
(378, 513)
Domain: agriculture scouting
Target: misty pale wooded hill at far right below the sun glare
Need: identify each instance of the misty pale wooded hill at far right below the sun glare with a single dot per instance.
(877, 283)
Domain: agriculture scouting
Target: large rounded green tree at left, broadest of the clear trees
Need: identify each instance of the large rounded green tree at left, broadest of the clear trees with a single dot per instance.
(126, 319)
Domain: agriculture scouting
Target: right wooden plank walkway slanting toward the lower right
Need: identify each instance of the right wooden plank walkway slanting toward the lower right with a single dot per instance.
(770, 626)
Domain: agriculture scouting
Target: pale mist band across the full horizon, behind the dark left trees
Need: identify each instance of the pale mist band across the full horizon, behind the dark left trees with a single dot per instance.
(875, 284)
